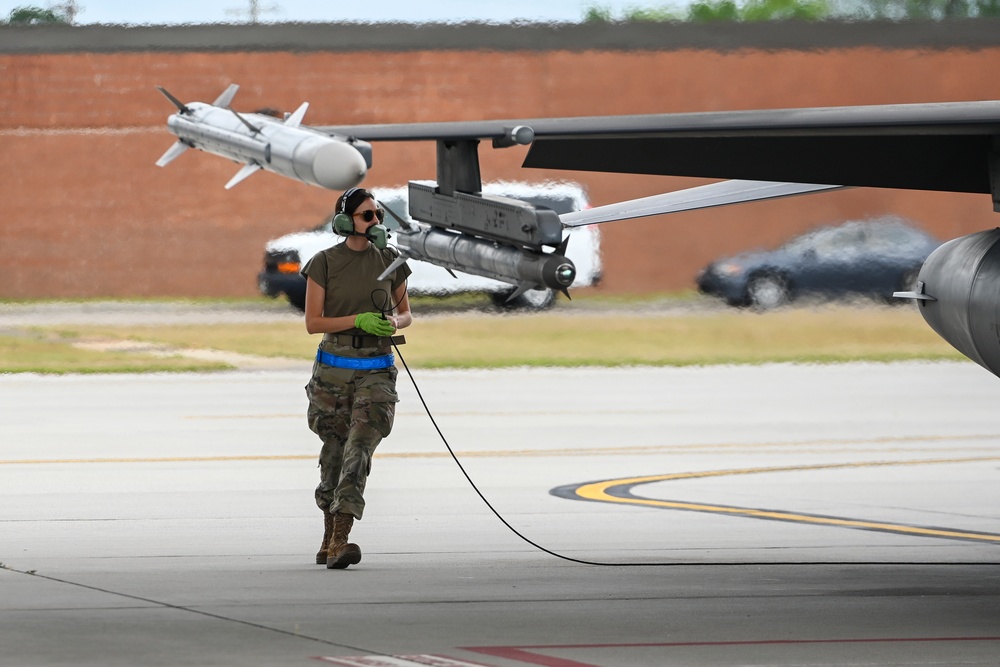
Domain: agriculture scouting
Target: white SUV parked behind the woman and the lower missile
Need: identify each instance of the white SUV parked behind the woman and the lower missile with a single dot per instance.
(284, 256)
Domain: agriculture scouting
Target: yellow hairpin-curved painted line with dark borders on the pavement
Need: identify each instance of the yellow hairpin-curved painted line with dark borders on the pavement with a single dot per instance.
(599, 491)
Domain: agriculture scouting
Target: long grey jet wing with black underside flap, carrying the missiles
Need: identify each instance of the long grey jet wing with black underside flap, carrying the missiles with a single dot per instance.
(947, 146)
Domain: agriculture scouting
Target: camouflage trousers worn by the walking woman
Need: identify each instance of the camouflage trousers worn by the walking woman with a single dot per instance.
(351, 411)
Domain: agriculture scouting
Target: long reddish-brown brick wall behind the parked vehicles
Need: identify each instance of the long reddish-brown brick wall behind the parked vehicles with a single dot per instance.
(87, 213)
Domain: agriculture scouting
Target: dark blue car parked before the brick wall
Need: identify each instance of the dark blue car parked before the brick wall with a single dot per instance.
(871, 258)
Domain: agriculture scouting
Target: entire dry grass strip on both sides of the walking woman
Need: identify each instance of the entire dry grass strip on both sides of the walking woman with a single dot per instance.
(566, 338)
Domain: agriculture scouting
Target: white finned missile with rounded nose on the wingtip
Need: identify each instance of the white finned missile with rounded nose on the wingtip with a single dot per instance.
(261, 142)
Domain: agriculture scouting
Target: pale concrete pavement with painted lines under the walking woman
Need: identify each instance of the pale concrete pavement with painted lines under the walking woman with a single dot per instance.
(771, 515)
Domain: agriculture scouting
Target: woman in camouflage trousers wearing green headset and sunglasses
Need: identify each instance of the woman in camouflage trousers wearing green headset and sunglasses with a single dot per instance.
(352, 393)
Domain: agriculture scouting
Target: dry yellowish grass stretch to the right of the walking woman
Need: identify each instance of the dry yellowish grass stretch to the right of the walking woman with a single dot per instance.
(729, 337)
